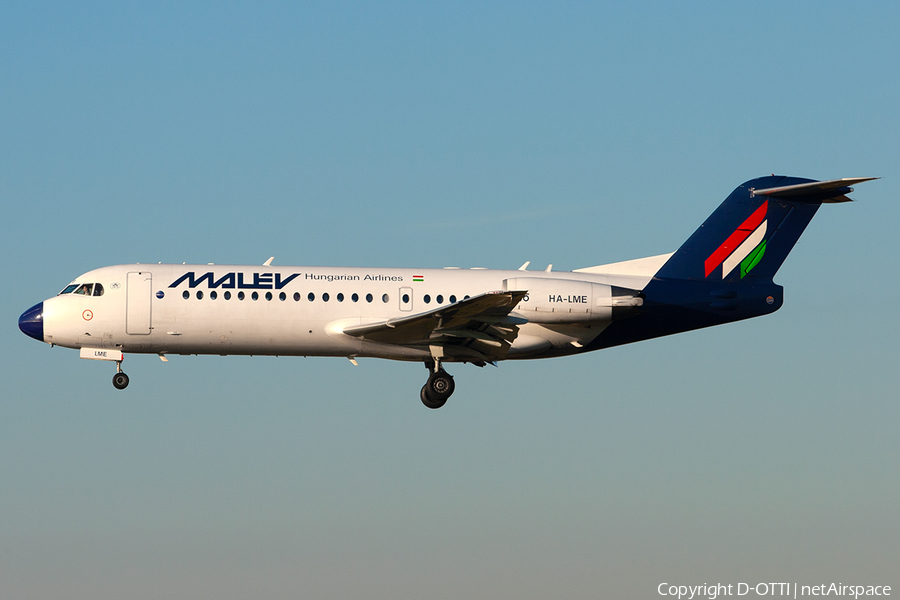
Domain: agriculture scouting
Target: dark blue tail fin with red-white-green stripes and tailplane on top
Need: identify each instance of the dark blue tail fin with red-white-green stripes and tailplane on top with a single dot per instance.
(754, 229)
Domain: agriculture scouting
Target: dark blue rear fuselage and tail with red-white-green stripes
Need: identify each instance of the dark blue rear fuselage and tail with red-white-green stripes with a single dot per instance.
(724, 271)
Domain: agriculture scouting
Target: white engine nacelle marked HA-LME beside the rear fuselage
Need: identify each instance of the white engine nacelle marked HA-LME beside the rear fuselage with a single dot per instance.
(559, 300)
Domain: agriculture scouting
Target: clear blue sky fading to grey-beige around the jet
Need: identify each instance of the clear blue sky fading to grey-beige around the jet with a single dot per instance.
(428, 135)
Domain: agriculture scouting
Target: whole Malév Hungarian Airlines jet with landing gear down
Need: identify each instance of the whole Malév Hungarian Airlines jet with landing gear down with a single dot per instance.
(722, 273)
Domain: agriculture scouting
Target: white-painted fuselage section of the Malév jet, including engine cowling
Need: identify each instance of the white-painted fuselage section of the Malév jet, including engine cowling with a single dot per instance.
(302, 311)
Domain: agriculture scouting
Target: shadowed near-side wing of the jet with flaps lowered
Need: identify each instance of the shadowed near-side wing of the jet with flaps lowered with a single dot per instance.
(478, 329)
